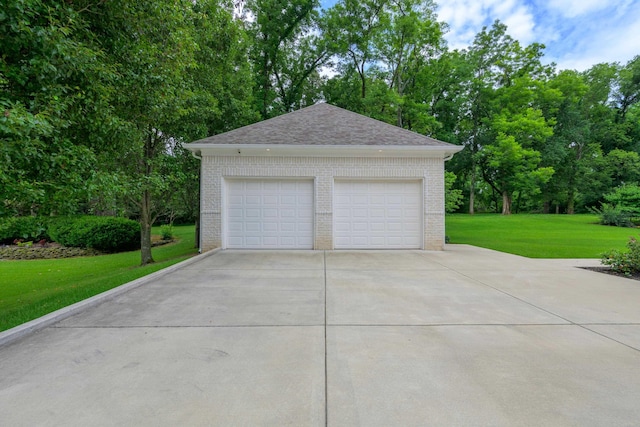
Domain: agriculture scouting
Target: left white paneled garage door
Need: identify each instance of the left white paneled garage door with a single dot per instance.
(269, 214)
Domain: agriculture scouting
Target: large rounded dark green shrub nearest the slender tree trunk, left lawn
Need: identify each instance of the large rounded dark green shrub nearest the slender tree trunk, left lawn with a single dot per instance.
(104, 233)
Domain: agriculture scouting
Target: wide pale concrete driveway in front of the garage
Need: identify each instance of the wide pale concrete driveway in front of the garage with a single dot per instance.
(466, 337)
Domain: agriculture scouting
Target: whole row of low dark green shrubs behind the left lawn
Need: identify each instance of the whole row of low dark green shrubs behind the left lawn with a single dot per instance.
(103, 233)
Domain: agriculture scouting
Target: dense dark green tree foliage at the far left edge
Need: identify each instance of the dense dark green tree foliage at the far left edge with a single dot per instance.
(53, 99)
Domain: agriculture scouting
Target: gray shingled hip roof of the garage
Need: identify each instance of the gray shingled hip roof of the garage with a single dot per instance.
(323, 124)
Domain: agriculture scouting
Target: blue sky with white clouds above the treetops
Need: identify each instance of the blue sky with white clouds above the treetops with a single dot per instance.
(577, 33)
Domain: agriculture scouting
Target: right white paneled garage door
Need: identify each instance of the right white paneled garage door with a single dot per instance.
(378, 214)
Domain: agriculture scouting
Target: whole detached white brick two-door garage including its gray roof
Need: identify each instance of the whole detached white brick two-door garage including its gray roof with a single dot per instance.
(322, 178)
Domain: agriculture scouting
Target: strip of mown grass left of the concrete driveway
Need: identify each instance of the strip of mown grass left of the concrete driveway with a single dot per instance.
(32, 288)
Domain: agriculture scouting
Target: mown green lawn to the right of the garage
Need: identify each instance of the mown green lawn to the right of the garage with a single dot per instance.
(538, 236)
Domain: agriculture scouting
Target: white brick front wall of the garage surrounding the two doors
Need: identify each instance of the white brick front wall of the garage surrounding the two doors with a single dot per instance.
(323, 170)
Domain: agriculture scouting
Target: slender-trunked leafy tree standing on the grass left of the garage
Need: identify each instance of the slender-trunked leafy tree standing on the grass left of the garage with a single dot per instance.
(151, 44)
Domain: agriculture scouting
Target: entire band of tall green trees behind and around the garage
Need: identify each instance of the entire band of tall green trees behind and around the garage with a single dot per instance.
(97, 97)
